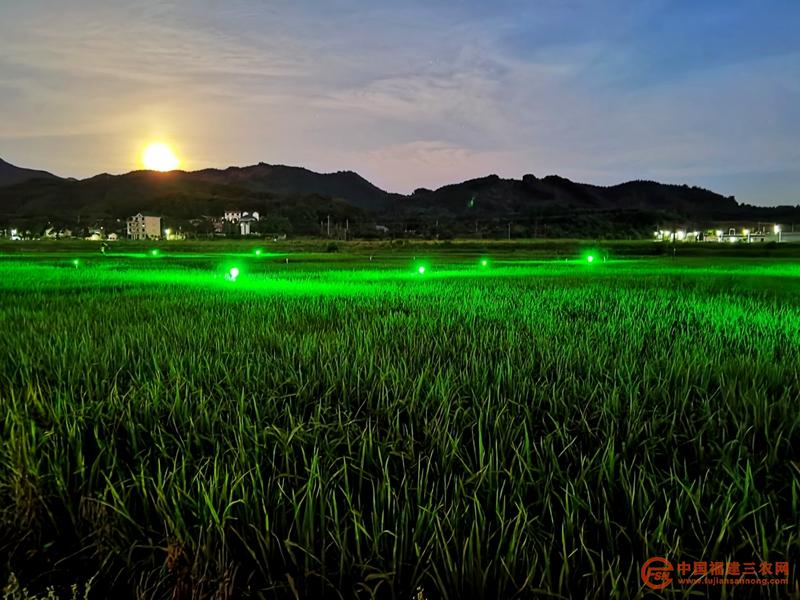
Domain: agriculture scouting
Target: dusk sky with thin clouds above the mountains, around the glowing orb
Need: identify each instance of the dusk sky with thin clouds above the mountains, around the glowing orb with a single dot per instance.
(414, 93)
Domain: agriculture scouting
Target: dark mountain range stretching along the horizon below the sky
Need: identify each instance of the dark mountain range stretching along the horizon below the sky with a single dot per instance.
(300, 199)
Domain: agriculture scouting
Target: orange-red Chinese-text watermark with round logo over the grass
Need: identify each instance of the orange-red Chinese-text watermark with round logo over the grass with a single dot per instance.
(658, 573)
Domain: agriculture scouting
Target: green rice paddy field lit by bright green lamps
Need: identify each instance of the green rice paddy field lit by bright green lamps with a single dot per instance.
(430, 422)
